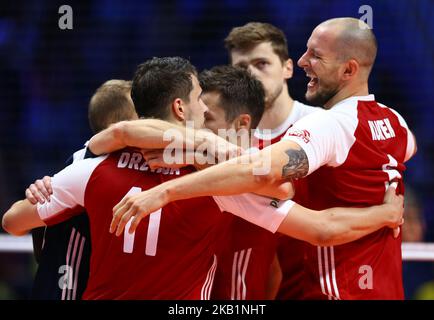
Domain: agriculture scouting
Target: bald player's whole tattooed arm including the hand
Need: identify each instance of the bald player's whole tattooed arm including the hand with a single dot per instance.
(248, 173)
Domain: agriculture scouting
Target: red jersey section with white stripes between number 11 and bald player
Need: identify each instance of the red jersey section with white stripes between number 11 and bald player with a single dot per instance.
(244, 260)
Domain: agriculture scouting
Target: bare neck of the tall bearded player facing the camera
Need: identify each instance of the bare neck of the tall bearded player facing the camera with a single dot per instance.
(278, 112)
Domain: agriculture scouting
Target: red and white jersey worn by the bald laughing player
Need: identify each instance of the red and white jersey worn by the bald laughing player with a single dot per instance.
(354, 150)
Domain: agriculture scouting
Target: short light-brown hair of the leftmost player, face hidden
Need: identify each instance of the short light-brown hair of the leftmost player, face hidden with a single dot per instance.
(110, 103)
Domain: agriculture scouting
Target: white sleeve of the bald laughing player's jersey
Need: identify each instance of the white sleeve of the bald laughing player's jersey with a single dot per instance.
(325, 137)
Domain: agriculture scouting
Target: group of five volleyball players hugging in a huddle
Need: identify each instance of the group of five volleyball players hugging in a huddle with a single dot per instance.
(165, 201)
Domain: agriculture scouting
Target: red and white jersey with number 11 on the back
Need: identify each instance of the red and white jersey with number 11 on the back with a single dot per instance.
(171, 255)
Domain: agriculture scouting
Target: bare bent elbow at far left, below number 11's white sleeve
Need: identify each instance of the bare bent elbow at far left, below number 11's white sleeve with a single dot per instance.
(21, 218)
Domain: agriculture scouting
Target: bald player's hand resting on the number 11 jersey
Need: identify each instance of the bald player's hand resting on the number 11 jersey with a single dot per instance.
(138, 206)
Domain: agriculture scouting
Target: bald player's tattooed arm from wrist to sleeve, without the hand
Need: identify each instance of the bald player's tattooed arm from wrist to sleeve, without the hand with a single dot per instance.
(248, 173)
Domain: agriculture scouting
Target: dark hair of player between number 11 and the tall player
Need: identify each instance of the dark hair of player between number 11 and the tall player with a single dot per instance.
(239, 92)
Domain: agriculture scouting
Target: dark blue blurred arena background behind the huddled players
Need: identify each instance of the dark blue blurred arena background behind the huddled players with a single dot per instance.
(47, 76)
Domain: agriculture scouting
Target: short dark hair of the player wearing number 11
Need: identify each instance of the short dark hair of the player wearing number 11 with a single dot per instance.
(157, 82)
